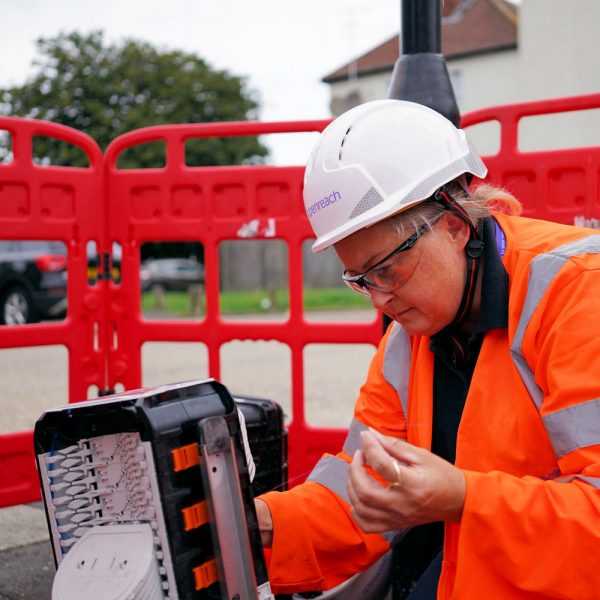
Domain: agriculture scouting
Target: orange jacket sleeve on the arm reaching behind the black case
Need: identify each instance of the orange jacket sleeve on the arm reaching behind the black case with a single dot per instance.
(316, 543)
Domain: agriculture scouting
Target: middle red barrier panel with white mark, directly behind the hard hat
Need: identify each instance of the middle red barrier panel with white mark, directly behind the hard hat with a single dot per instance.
(212, 205)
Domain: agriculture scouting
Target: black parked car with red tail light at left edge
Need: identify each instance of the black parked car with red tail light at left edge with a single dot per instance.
(33, 281)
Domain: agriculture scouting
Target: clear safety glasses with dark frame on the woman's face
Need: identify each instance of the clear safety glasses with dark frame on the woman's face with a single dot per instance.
(393, 270)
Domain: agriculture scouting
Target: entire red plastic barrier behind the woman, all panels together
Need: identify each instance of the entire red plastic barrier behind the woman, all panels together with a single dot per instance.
(104, 330)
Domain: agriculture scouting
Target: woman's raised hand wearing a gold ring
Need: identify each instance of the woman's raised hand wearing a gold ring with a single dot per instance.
(419, 486)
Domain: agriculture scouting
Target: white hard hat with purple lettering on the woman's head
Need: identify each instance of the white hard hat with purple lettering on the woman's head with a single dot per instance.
(378, 159)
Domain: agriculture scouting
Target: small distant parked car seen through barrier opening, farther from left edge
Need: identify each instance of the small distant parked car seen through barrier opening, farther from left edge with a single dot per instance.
(171, 273)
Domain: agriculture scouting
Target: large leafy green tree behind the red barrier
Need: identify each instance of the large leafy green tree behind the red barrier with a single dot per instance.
(105, 90)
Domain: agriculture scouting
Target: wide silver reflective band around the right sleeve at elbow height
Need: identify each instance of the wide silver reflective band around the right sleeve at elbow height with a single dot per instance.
(574, 427)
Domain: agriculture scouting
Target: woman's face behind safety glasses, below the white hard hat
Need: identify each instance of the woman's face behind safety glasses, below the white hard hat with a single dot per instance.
(428, 299)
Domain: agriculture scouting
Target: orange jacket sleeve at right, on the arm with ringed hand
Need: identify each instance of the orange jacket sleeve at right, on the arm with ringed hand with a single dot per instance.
(542, 537)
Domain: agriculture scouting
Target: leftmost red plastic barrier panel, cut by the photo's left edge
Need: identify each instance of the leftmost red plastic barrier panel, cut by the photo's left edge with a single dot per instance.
(62, 204)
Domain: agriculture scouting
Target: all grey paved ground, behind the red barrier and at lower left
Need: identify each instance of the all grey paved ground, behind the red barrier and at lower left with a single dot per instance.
(34, 379)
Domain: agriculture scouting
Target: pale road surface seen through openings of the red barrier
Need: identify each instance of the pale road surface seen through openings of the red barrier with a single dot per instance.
(35, 379)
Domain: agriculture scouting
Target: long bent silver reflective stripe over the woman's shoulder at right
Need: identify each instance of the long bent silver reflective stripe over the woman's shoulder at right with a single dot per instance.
(543, 270)
